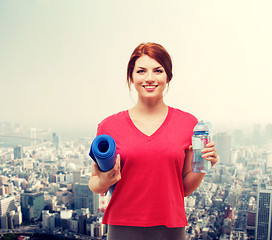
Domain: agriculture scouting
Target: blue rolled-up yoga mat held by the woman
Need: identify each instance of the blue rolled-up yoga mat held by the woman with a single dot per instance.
(103, 152)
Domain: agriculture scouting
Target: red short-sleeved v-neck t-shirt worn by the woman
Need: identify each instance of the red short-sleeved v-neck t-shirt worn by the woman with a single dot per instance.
(150, 192)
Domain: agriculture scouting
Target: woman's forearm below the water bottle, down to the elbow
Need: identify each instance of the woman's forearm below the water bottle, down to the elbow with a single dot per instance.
(191, 182)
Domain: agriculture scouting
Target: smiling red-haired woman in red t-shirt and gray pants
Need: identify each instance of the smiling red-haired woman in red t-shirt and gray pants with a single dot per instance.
(153, 166)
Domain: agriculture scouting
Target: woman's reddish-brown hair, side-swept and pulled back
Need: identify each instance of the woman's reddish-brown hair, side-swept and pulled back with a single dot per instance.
(155, 51)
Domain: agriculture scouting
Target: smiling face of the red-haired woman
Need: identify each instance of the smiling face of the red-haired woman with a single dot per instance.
(149, 78)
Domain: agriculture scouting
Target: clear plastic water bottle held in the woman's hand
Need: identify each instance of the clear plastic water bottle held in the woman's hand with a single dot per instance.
(200, 139)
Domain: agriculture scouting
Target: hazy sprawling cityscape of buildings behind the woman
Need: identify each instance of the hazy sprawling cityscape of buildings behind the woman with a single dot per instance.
(44, 187)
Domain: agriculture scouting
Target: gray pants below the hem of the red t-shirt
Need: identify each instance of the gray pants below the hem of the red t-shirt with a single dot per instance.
(145, 233)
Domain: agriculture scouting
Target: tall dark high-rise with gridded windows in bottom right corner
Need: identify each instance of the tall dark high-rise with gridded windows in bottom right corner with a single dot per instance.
(264, 215)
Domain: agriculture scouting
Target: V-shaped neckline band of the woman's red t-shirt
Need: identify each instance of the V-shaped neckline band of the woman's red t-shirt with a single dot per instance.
(156, 133)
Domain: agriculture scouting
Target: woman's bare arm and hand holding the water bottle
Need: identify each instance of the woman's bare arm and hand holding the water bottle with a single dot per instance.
(192, 180)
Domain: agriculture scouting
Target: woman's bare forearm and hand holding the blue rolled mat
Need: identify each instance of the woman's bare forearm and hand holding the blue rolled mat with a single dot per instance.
(100, 181)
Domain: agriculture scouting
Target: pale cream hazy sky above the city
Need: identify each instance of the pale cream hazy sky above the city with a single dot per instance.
(63, 63)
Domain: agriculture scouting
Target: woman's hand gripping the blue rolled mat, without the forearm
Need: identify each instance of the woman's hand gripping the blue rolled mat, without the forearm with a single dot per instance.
(107, 179)
